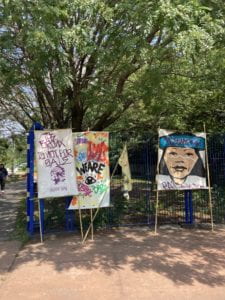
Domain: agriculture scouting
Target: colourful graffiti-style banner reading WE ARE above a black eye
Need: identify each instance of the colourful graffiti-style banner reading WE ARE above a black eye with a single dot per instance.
(92, 168)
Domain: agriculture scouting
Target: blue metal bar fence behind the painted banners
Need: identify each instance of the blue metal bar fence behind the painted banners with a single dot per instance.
(174, 206)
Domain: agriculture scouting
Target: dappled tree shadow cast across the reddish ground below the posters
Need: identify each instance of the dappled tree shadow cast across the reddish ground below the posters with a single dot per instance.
(181, 255)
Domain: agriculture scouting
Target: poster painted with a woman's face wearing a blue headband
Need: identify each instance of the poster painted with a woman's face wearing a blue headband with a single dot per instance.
(181, 161)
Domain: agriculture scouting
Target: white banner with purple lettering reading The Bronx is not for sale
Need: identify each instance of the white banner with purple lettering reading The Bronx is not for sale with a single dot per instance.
(56, 174)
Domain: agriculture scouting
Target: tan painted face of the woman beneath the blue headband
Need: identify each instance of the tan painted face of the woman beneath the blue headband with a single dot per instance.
(180, 162)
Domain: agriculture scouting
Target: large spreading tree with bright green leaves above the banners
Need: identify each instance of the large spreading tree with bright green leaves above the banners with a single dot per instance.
(90, 64)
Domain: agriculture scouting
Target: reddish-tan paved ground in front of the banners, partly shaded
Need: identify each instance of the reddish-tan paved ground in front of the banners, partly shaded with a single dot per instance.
(120, 264)
